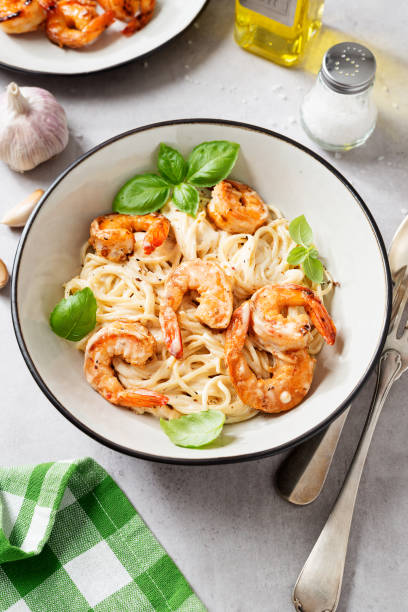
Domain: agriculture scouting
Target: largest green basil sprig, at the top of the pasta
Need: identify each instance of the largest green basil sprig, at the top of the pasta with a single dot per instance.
(208, 163)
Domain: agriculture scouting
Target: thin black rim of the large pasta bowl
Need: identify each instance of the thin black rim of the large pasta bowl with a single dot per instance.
(198, 461)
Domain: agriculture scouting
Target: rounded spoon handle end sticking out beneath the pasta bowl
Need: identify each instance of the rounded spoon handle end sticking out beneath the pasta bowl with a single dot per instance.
(302, 474)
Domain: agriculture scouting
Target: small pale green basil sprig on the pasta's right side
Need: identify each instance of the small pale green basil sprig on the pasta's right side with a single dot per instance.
(305, 253)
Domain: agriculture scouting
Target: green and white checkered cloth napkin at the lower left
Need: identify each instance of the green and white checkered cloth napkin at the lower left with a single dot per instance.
(70, 541)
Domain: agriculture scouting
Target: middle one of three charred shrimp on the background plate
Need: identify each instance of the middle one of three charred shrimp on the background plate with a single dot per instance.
(76, 23)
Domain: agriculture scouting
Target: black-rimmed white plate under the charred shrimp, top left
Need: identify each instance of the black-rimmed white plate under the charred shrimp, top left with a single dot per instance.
(33, 52)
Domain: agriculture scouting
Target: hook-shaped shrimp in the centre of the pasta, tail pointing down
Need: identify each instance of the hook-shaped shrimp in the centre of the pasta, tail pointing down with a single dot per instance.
(215, 299)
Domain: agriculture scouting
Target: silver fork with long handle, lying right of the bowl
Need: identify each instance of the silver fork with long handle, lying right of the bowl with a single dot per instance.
(319, 584)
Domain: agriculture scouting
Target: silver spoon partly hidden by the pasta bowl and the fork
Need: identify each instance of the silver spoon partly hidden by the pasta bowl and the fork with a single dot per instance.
(302, 474)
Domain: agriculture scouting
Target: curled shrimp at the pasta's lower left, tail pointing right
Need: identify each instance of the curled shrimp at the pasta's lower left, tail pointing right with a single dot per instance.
(134, 343)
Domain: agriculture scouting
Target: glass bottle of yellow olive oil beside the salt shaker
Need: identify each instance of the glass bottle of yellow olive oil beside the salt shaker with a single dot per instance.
(277, 29)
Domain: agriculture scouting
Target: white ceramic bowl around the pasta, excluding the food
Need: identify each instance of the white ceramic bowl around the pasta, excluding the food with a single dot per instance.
(287, 175)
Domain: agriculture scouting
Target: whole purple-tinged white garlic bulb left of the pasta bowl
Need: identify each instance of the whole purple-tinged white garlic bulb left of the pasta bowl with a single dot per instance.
(33, 127)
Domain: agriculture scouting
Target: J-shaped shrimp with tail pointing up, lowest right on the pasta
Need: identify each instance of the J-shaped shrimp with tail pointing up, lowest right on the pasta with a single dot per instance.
(290, 378)
